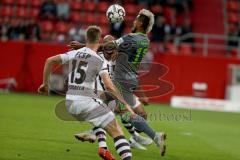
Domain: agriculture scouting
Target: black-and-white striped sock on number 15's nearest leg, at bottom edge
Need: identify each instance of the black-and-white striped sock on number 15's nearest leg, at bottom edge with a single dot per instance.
(123, 148)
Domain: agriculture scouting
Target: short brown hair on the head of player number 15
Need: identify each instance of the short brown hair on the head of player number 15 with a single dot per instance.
(93, 34)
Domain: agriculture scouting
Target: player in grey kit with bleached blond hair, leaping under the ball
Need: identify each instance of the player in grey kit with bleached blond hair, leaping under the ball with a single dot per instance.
(131, 49)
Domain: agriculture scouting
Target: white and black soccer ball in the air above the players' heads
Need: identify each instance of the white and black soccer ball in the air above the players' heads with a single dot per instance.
(115, 13)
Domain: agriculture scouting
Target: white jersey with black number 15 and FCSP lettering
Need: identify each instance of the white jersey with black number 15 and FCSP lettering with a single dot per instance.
(84, 67)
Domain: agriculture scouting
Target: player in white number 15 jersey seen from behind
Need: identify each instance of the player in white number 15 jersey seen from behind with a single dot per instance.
(81, 102)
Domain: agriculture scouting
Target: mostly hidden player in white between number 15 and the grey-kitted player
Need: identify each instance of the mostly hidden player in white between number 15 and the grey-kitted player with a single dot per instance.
(136, 140)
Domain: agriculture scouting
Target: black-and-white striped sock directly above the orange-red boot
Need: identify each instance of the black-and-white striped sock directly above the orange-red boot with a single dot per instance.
(101, 137)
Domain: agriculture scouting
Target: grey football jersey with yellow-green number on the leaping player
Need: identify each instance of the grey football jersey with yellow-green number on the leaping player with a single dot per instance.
(131, 50)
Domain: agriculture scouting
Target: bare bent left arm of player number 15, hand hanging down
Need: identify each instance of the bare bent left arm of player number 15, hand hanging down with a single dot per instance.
(43, 89)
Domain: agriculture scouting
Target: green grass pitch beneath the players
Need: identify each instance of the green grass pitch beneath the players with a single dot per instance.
(29, 130)
